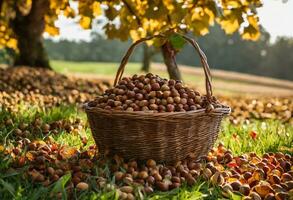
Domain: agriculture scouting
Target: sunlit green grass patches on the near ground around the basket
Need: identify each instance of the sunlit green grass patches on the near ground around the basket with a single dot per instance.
(272, 136)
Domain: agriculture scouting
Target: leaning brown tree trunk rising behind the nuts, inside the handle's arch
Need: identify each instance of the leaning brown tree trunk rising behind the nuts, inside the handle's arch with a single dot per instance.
(169, 59)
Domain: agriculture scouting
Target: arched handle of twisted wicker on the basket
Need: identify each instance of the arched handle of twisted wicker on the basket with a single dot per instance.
(203, 59)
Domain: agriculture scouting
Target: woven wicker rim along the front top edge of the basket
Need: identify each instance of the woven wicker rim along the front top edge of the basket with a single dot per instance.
(226, 110)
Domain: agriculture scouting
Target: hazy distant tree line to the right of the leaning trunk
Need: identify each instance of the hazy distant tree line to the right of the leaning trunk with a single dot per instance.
(234, 54)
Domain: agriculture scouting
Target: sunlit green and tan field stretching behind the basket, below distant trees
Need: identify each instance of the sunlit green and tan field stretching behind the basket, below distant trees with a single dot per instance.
(231, 83)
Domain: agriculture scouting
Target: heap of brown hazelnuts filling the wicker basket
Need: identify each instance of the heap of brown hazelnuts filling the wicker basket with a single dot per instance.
(151, 93)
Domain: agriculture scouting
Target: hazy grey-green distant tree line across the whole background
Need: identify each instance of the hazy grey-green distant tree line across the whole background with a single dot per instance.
(223, 52)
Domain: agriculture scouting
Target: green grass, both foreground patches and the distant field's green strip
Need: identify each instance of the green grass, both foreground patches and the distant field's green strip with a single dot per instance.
(271, 136)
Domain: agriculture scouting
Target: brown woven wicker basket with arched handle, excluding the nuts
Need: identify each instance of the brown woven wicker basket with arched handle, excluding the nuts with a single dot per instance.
(168, 137)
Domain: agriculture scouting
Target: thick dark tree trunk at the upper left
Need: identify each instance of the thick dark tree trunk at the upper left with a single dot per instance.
(29, 30)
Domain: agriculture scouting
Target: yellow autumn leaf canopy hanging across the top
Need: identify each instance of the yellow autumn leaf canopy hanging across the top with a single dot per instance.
(139, 18)
